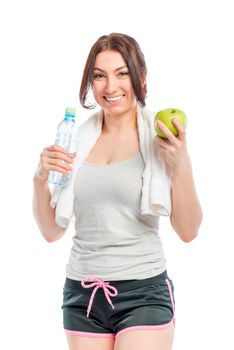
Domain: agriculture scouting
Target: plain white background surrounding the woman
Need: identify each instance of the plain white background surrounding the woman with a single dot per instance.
(188, 49)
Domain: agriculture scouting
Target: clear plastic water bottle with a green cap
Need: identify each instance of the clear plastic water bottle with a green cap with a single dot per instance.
(65, 139)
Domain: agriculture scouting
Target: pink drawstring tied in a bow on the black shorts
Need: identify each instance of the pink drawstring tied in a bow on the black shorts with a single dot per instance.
(99, 283)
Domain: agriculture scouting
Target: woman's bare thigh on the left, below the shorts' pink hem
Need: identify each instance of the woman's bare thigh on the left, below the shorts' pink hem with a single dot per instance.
(89, 343)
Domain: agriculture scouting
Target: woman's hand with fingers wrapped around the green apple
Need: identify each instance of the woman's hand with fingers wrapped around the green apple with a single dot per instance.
(173, 149)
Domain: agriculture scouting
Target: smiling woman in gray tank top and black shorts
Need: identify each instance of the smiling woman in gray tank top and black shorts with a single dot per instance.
(117, 293)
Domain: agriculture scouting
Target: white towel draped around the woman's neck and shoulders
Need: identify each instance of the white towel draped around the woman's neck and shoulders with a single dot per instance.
(156, 188)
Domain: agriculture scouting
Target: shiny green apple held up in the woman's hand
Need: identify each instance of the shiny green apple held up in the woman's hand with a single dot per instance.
(166, 116)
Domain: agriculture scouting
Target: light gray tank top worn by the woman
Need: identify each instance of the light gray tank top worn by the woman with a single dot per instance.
(113, 240)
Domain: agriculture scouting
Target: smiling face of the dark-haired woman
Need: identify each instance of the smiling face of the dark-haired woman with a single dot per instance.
(112, 87)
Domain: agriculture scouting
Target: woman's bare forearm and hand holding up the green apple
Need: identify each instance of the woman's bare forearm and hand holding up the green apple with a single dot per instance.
(186, 214)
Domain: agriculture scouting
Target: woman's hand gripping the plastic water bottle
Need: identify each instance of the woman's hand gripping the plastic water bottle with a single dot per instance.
(54, 158)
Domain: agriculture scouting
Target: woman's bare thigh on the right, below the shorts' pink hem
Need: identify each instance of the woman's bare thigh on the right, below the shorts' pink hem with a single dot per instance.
(146, 339)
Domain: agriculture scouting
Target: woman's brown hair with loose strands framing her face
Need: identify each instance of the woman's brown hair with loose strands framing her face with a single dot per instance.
(133, 57)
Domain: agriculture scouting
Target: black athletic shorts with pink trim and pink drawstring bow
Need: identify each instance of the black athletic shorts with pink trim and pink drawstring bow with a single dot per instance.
(93, 307)
